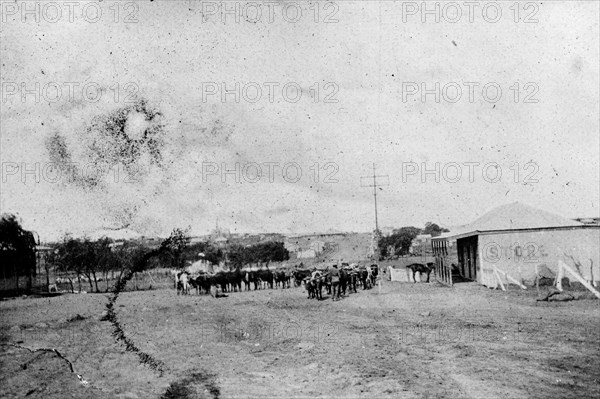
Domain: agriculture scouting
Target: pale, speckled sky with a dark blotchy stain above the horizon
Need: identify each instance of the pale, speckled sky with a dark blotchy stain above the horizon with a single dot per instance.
(460, 111)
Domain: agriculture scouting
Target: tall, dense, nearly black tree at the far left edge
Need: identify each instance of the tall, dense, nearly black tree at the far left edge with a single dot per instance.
(17, 249)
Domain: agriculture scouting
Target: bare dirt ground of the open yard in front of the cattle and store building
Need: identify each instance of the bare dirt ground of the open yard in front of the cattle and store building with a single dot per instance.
(403, 341)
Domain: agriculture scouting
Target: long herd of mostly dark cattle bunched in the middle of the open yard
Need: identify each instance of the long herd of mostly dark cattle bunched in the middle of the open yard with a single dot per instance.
(314, 281)
